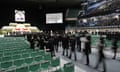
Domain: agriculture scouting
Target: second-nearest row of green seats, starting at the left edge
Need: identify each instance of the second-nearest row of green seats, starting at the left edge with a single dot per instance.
(8, 63)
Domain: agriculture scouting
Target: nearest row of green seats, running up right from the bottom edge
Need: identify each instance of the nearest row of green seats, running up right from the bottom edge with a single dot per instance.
(37, 67)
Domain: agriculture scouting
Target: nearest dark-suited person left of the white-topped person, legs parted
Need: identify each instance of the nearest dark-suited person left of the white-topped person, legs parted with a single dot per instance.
(72, 45)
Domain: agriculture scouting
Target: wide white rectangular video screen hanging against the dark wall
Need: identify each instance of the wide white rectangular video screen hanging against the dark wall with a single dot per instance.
(54, 18)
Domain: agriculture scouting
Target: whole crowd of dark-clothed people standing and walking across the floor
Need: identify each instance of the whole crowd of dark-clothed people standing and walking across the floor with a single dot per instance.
(72, 43)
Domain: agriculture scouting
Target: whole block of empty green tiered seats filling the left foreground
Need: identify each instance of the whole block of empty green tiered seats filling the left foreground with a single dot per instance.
(16, 56)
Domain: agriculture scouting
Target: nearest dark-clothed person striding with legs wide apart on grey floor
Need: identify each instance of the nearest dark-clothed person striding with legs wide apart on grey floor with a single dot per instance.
(101, 56)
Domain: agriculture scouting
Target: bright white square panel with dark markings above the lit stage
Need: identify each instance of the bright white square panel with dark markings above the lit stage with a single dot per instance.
(19, 16)
